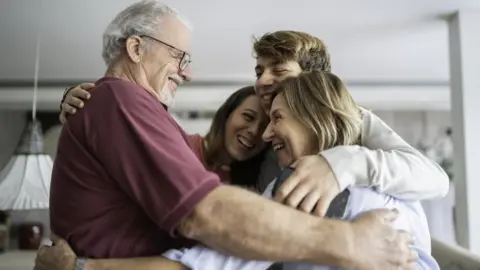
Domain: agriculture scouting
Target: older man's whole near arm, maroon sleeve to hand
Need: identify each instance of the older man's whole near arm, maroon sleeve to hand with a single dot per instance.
(162, 175)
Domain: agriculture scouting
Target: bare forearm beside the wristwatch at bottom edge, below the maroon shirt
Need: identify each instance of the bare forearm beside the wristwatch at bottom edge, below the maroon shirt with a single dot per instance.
(148, 263)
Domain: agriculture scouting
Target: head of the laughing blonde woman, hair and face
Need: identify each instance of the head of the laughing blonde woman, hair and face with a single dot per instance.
(310, 114)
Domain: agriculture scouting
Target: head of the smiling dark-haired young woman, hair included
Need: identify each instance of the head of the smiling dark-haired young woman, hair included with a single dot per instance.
(233, 147)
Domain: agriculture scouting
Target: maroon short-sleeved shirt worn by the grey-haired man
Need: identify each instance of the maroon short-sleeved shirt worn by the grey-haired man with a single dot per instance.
(124, 175)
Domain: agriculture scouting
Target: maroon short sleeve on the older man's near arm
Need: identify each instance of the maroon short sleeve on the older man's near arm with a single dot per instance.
(145, 152)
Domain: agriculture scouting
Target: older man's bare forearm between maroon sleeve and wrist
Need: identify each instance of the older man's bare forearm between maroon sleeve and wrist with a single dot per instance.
(249, 226)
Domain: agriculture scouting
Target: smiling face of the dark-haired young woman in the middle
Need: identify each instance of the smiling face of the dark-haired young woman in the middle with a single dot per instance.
(244, 129)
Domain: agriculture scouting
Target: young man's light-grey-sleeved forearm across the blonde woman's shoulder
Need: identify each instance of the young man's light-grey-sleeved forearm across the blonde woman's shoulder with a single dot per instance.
(402, 172)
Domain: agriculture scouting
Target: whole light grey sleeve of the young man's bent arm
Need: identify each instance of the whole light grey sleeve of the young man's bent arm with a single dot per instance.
(386, 162)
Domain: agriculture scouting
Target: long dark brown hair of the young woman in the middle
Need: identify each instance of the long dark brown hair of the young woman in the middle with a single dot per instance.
(242, 173)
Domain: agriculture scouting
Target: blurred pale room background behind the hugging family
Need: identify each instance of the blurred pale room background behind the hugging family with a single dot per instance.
(405, 60)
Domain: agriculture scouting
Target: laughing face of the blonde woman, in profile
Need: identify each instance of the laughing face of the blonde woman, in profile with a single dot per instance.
(290, 138)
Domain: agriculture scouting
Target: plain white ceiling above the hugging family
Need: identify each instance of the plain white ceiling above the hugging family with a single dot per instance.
(370, 40)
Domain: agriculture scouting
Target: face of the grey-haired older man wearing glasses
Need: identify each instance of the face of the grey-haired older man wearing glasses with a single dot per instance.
(161, 62)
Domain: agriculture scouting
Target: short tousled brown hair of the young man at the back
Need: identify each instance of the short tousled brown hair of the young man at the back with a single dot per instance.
(308, 51)
